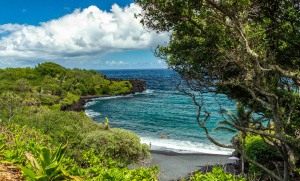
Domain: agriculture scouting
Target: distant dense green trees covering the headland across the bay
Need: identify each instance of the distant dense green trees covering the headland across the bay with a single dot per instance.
(52, 79)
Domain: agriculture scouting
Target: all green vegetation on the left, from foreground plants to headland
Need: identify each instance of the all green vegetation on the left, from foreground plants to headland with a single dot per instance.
(34, 125)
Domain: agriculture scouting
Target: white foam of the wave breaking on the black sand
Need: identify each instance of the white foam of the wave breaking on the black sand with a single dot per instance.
(184, 146)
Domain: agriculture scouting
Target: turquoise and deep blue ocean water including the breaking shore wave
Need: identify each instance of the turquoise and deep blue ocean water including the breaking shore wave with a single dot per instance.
(161, 110)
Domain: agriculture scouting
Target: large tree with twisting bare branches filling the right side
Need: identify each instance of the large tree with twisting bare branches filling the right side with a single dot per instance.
(246, 49)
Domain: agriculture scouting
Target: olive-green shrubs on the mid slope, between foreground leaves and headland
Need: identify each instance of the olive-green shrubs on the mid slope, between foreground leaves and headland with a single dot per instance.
(79, 130)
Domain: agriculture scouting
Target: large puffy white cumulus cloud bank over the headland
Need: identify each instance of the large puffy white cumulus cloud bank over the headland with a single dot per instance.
(82, 35)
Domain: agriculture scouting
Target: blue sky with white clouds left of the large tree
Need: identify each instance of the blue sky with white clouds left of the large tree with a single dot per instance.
(89, 34)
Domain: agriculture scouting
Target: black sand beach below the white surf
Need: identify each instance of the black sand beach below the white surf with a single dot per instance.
(177, 165)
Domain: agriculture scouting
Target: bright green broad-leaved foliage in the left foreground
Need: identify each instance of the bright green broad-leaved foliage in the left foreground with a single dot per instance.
(28, 148)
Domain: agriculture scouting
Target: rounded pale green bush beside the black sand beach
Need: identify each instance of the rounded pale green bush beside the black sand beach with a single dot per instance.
(121, 145)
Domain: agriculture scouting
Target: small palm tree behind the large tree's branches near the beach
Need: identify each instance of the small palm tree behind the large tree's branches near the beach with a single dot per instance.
(242, 119)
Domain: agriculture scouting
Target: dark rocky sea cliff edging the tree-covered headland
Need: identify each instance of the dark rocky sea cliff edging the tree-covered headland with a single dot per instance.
(138, 86)
